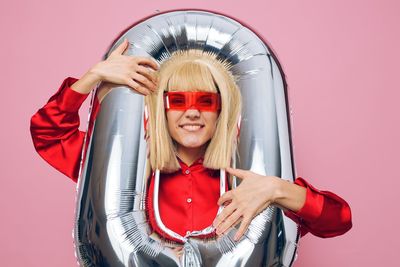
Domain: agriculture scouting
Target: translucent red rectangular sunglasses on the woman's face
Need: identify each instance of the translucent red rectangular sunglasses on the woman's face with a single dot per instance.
(204, 101)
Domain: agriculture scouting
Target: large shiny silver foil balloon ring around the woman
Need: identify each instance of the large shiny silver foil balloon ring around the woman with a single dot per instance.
(111, 227)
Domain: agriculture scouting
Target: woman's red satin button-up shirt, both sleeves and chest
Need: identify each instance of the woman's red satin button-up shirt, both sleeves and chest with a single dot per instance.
(187, 198)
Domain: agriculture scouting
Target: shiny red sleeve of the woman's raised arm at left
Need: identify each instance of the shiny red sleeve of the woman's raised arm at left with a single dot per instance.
(55, 130)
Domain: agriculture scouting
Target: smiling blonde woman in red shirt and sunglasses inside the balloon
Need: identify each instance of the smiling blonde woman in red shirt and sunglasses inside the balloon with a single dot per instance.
(189, 139)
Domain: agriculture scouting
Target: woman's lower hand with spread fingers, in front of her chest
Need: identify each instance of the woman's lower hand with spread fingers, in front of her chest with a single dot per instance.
(254, 194)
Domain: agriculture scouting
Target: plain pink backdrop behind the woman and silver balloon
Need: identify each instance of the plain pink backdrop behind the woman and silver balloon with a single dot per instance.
(340, 58)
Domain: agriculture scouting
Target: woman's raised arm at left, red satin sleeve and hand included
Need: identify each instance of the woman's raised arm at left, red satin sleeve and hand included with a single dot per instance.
(55, 127)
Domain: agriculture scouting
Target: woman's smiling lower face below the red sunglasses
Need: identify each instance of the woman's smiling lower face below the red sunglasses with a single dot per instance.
(191, 128)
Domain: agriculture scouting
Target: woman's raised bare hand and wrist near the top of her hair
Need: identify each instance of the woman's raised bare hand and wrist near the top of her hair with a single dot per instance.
(138, 73)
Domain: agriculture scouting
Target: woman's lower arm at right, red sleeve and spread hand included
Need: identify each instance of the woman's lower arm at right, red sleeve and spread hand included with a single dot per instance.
(320, 212)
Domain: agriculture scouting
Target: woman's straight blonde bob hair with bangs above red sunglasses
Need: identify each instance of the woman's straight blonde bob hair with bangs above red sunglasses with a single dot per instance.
(194, 70)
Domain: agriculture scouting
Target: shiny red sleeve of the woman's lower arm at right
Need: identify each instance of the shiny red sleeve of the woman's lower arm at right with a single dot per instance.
(323, 214)
